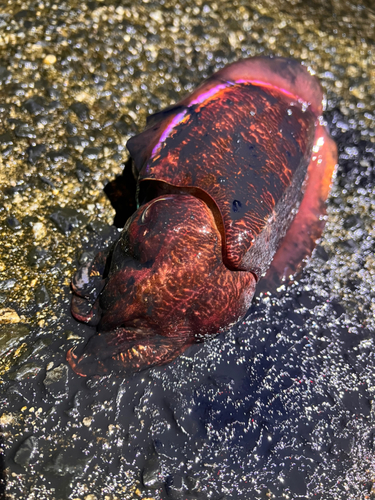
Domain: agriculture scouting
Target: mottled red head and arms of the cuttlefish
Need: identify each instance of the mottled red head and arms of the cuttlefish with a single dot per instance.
(169, 288)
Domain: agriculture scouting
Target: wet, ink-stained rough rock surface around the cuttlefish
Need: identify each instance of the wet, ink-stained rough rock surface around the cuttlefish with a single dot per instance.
(280, 406)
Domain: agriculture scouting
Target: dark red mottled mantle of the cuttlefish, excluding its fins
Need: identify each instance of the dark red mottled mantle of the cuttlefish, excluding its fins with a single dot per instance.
(267, 151)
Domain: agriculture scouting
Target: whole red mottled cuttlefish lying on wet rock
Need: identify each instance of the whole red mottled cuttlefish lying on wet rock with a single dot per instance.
(225, 171)
